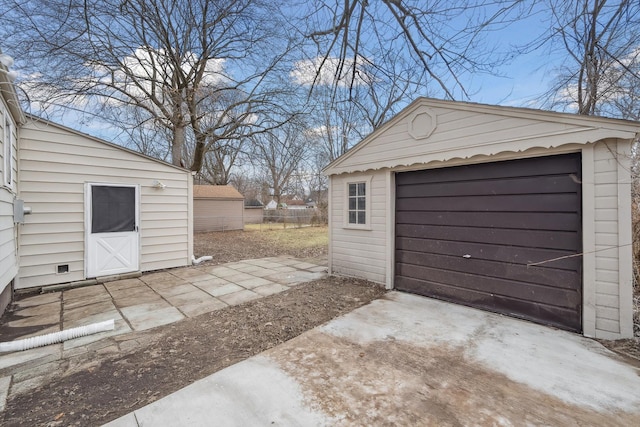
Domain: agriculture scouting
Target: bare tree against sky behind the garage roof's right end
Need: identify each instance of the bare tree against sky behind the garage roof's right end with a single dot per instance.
(600, 39)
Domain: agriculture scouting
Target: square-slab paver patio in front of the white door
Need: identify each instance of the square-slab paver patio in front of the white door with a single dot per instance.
(136, 304)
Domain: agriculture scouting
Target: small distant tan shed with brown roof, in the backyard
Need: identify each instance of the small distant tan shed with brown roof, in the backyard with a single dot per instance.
(217, 207)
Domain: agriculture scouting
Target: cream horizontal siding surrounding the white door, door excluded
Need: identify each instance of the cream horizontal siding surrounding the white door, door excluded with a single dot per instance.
(55, 164)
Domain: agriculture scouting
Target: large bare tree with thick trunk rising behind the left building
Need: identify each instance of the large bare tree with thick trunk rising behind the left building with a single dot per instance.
(199, 66)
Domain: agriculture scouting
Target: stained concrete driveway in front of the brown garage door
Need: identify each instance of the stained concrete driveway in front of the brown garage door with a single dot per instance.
(409, 360)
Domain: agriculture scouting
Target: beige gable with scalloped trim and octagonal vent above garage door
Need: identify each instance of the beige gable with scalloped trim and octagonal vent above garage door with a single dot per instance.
(434, 130)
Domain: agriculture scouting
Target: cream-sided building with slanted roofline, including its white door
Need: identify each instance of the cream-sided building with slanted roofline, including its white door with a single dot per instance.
(97, 209)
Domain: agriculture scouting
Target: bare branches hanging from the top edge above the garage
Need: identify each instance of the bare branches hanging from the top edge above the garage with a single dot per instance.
(442, 38)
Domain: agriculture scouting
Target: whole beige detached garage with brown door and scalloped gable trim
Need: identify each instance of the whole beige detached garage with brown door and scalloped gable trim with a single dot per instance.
(512, 210)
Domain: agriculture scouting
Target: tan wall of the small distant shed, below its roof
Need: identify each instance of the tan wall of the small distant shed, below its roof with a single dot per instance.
(214, 215)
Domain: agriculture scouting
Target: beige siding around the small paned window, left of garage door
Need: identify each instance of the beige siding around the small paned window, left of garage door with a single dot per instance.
(360, 252)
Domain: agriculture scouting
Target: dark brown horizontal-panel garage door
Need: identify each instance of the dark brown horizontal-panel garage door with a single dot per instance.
(470, 234)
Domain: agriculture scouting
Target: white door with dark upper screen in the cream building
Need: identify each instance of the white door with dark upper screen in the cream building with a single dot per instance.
(113, 239)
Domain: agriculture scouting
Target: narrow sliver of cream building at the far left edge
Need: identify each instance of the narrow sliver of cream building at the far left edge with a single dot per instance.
(10, 119)
